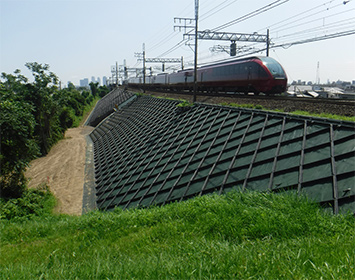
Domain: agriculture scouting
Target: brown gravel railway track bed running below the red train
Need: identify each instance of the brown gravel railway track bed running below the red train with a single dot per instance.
(287, 104)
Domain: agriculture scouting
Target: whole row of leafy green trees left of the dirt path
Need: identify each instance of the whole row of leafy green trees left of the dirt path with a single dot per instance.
(33, 117)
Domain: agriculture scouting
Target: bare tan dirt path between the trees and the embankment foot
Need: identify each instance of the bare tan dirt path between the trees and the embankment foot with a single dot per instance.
(63, 170)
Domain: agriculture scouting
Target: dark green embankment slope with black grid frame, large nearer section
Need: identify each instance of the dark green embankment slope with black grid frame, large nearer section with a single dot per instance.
(151, 152)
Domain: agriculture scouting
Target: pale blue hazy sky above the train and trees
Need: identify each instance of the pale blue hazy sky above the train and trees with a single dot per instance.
(82, 38)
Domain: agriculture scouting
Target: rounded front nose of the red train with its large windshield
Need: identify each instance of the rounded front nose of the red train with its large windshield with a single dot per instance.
(277, 79)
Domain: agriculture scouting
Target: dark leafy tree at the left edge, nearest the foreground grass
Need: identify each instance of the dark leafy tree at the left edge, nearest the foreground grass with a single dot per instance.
(18, 145)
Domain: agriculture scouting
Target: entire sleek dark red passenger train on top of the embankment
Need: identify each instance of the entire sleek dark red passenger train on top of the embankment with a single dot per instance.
(254, 74)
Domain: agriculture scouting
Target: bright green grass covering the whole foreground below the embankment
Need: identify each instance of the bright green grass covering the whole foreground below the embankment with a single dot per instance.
(235, 236)
